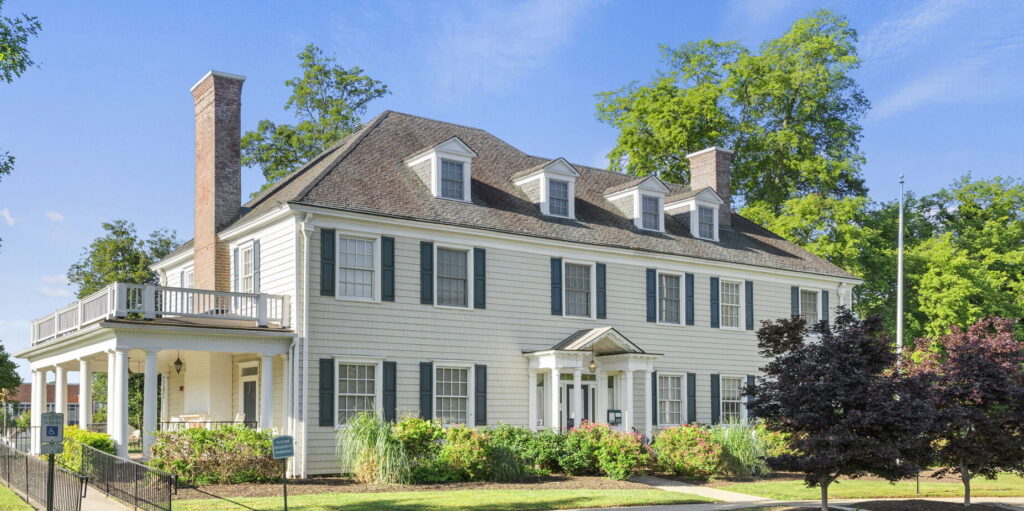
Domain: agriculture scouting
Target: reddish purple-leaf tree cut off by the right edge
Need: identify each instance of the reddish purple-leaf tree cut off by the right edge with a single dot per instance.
(977, 389)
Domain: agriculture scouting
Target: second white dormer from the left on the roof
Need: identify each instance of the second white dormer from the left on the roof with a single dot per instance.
(552, 187)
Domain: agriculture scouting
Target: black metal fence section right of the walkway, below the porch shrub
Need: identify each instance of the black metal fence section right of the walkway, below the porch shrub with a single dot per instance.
(133, 483)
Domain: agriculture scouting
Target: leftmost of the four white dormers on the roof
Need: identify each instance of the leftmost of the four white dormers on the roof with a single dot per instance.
(446, 169)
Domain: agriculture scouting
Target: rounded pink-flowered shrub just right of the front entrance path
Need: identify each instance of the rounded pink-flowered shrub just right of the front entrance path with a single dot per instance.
(689, 451)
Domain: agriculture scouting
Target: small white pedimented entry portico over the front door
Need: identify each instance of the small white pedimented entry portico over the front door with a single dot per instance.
(591, 376)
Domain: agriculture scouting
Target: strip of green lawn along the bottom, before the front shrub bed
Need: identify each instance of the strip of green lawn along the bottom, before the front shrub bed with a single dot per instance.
(466, 500)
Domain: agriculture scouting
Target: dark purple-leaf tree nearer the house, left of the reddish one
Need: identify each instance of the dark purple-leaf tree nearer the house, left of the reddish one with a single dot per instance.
(848, 413)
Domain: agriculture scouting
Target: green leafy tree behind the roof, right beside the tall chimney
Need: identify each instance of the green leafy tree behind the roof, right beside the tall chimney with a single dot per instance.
(328, 102)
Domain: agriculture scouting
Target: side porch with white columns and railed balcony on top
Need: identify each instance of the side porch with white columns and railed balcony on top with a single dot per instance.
(204, 359)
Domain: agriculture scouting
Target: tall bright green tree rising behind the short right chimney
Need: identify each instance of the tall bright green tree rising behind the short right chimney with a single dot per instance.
(792, 113)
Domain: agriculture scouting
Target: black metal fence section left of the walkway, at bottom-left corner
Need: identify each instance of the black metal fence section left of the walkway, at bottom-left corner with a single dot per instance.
(27, 475)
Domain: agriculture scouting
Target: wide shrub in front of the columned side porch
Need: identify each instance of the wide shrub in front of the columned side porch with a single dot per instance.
(226, 455)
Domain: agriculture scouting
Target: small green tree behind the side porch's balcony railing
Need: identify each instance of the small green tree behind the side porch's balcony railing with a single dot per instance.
(120, 255)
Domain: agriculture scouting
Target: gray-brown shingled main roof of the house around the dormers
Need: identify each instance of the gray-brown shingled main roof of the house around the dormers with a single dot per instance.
(366, 174)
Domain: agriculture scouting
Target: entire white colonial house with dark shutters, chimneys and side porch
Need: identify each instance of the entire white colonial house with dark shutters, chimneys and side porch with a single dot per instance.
(426, 269)
